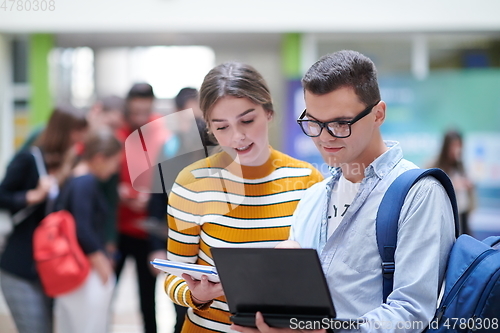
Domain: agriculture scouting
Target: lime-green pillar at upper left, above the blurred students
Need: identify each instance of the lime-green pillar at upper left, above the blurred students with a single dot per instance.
(41, 100)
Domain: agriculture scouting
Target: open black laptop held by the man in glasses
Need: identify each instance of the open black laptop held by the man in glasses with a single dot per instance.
(286, 285)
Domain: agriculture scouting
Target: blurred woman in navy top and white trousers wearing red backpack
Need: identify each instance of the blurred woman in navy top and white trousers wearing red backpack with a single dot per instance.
(86, 309)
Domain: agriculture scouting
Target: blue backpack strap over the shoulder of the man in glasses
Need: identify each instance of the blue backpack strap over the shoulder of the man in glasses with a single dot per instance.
(388, 217)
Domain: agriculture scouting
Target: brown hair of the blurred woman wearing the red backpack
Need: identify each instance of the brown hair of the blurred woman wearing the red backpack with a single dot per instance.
(101, 141)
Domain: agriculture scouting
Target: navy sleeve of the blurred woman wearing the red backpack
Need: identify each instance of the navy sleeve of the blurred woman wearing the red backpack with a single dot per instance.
(81, 198)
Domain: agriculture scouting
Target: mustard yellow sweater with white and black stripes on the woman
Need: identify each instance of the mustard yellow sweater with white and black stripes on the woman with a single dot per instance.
(218, 203)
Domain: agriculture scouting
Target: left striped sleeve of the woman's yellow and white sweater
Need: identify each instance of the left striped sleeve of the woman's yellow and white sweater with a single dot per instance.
(183, 239)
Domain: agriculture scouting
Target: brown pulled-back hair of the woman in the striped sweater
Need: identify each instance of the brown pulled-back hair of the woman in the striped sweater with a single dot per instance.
(237, 80)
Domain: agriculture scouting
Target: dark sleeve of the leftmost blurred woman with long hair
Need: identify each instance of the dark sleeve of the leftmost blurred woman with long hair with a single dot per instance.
(21, 175)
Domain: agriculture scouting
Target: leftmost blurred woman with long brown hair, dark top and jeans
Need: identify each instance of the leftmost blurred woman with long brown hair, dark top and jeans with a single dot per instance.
(23, 187)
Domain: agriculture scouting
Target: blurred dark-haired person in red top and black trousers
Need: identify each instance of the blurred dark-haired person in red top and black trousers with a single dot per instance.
(133, 239)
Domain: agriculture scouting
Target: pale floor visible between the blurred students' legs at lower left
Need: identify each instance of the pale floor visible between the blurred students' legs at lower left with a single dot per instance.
(126, 315)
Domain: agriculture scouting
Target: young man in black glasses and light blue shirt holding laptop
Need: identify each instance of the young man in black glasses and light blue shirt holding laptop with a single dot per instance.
(337, 216)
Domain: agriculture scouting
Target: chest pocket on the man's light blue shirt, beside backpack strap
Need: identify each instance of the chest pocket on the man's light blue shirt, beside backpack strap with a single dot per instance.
(359, 251)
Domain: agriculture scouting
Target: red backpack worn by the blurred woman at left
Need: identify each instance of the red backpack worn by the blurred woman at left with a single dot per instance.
(60, 261)
